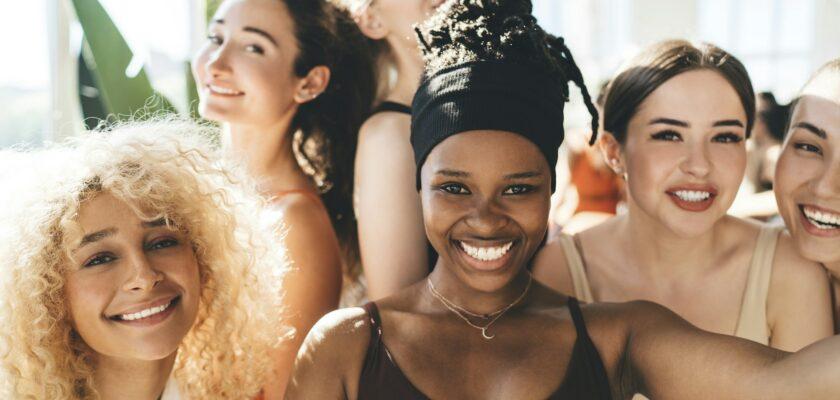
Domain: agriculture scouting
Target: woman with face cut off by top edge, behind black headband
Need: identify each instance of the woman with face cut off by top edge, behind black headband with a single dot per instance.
(394, 255)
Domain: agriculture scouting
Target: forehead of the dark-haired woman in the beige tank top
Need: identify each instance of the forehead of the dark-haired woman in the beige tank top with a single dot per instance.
(700, 95)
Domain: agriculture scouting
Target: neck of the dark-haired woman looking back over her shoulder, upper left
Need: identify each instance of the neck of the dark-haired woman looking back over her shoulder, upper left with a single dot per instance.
(266, 152)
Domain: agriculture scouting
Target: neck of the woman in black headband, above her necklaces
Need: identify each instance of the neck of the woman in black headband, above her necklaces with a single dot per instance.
(474, 300)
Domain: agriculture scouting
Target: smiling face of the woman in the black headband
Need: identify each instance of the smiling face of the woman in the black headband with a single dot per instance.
(485, 197)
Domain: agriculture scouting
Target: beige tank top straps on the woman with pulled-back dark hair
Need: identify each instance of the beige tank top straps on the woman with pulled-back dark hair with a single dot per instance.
(752, 321)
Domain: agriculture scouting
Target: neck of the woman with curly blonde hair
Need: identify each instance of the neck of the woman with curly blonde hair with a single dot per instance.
(131, 379)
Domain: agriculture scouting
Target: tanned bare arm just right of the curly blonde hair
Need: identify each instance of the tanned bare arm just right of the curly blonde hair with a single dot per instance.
(313, 285)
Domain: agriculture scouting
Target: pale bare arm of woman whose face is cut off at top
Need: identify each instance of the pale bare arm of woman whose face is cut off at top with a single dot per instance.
(392, 240)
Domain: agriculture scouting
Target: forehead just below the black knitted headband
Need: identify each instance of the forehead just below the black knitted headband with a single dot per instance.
(487, 150)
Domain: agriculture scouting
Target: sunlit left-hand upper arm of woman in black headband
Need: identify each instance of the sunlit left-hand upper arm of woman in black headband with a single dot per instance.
(330, 360)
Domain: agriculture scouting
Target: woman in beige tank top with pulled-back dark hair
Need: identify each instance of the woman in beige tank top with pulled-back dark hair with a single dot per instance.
(676, 119)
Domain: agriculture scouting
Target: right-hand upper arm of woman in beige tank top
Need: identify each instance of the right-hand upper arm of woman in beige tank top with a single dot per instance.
(799, 302)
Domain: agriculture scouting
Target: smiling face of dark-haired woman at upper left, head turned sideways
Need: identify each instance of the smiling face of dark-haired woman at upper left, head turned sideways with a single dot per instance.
(244, 72)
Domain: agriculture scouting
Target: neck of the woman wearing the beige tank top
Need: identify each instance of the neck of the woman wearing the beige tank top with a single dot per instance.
(657, 253)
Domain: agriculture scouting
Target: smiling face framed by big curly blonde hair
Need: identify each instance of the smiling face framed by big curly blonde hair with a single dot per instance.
(132, 286)
